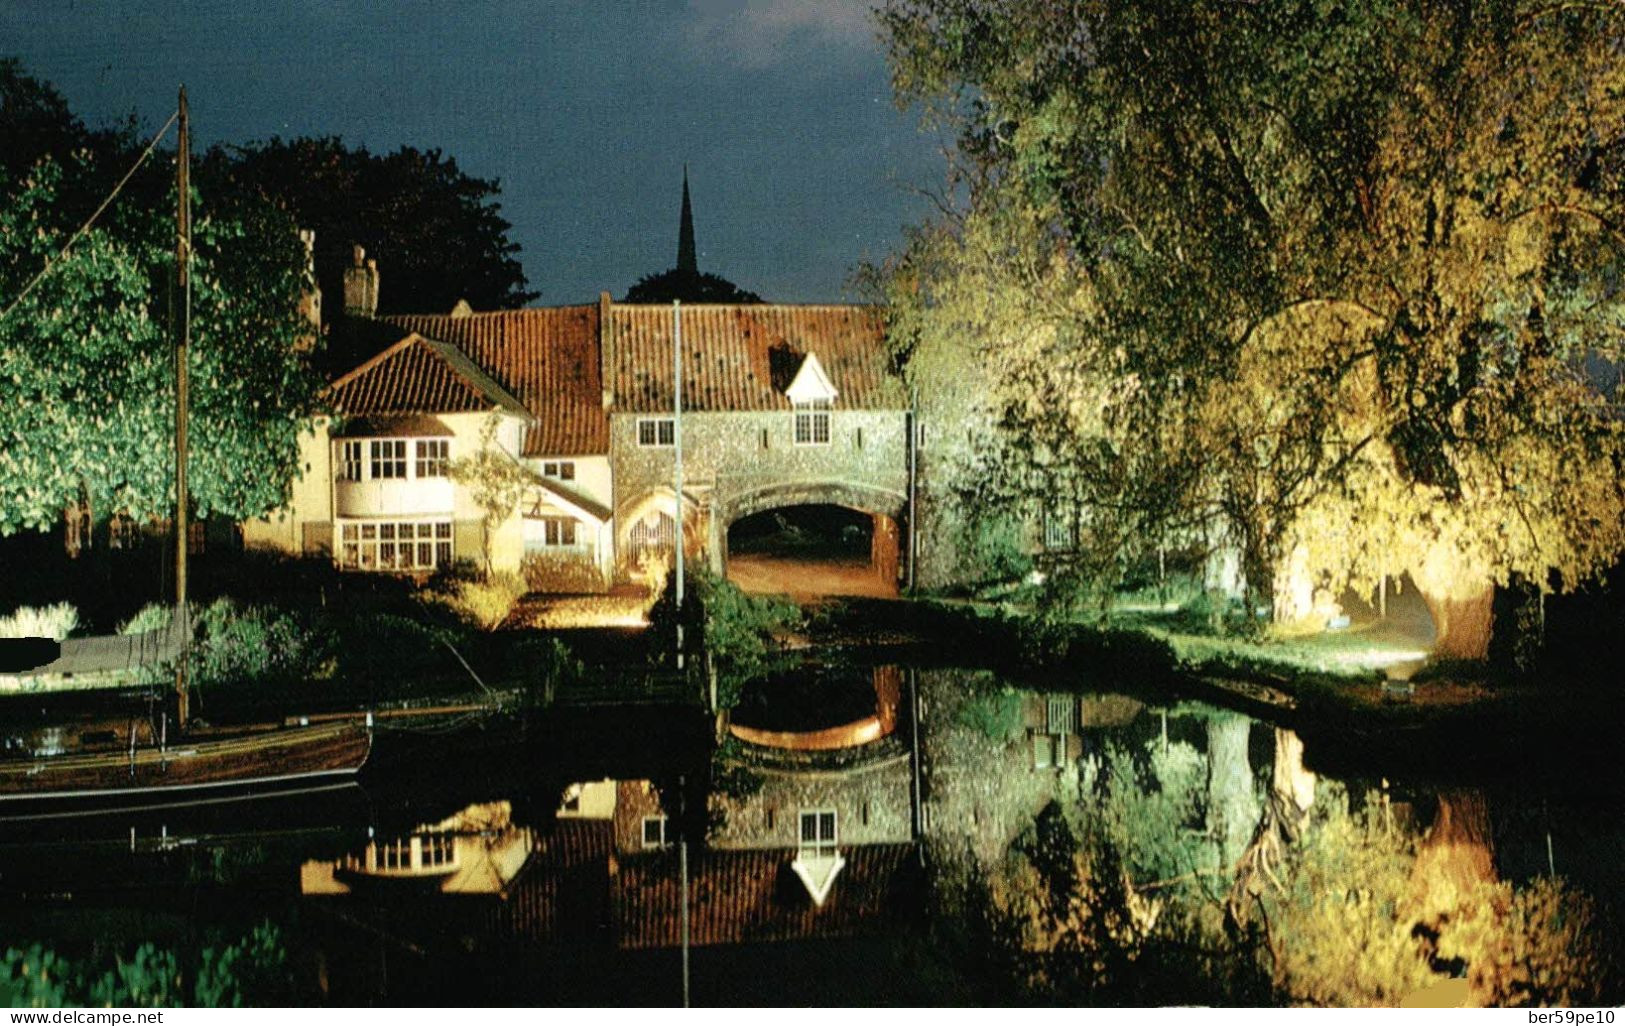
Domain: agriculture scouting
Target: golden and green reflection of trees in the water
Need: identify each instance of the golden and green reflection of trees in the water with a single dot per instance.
(1177, 877)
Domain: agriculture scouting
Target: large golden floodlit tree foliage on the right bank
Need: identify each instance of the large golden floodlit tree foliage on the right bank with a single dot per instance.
(1335, 276)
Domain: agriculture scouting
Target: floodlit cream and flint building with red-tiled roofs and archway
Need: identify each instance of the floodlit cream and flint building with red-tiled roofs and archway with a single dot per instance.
(545, 441)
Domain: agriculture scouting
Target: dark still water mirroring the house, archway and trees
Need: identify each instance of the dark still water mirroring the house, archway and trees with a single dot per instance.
(1023, 843)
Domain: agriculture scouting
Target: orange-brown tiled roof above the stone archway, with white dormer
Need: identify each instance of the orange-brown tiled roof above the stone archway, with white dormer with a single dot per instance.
(745, 357)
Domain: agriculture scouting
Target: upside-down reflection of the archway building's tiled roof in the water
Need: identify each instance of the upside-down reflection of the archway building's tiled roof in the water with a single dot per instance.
(740, 897)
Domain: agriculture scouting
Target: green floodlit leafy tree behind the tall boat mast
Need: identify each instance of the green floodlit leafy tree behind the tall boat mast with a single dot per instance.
(87, 385)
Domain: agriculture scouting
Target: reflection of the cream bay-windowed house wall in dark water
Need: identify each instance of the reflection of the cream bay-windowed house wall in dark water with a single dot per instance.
(479, 851)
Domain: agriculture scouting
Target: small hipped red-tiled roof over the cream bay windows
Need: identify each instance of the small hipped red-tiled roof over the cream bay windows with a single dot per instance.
(415, 376)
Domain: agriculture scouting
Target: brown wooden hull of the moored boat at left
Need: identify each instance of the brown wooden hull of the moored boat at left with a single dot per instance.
(194, 763)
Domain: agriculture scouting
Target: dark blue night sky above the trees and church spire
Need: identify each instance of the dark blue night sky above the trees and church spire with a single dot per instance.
(586, 111)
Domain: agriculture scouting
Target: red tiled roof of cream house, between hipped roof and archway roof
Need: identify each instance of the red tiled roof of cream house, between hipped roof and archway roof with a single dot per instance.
(545, 357)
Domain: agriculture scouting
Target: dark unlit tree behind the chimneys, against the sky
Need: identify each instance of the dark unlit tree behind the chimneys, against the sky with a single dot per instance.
(438, 233)
